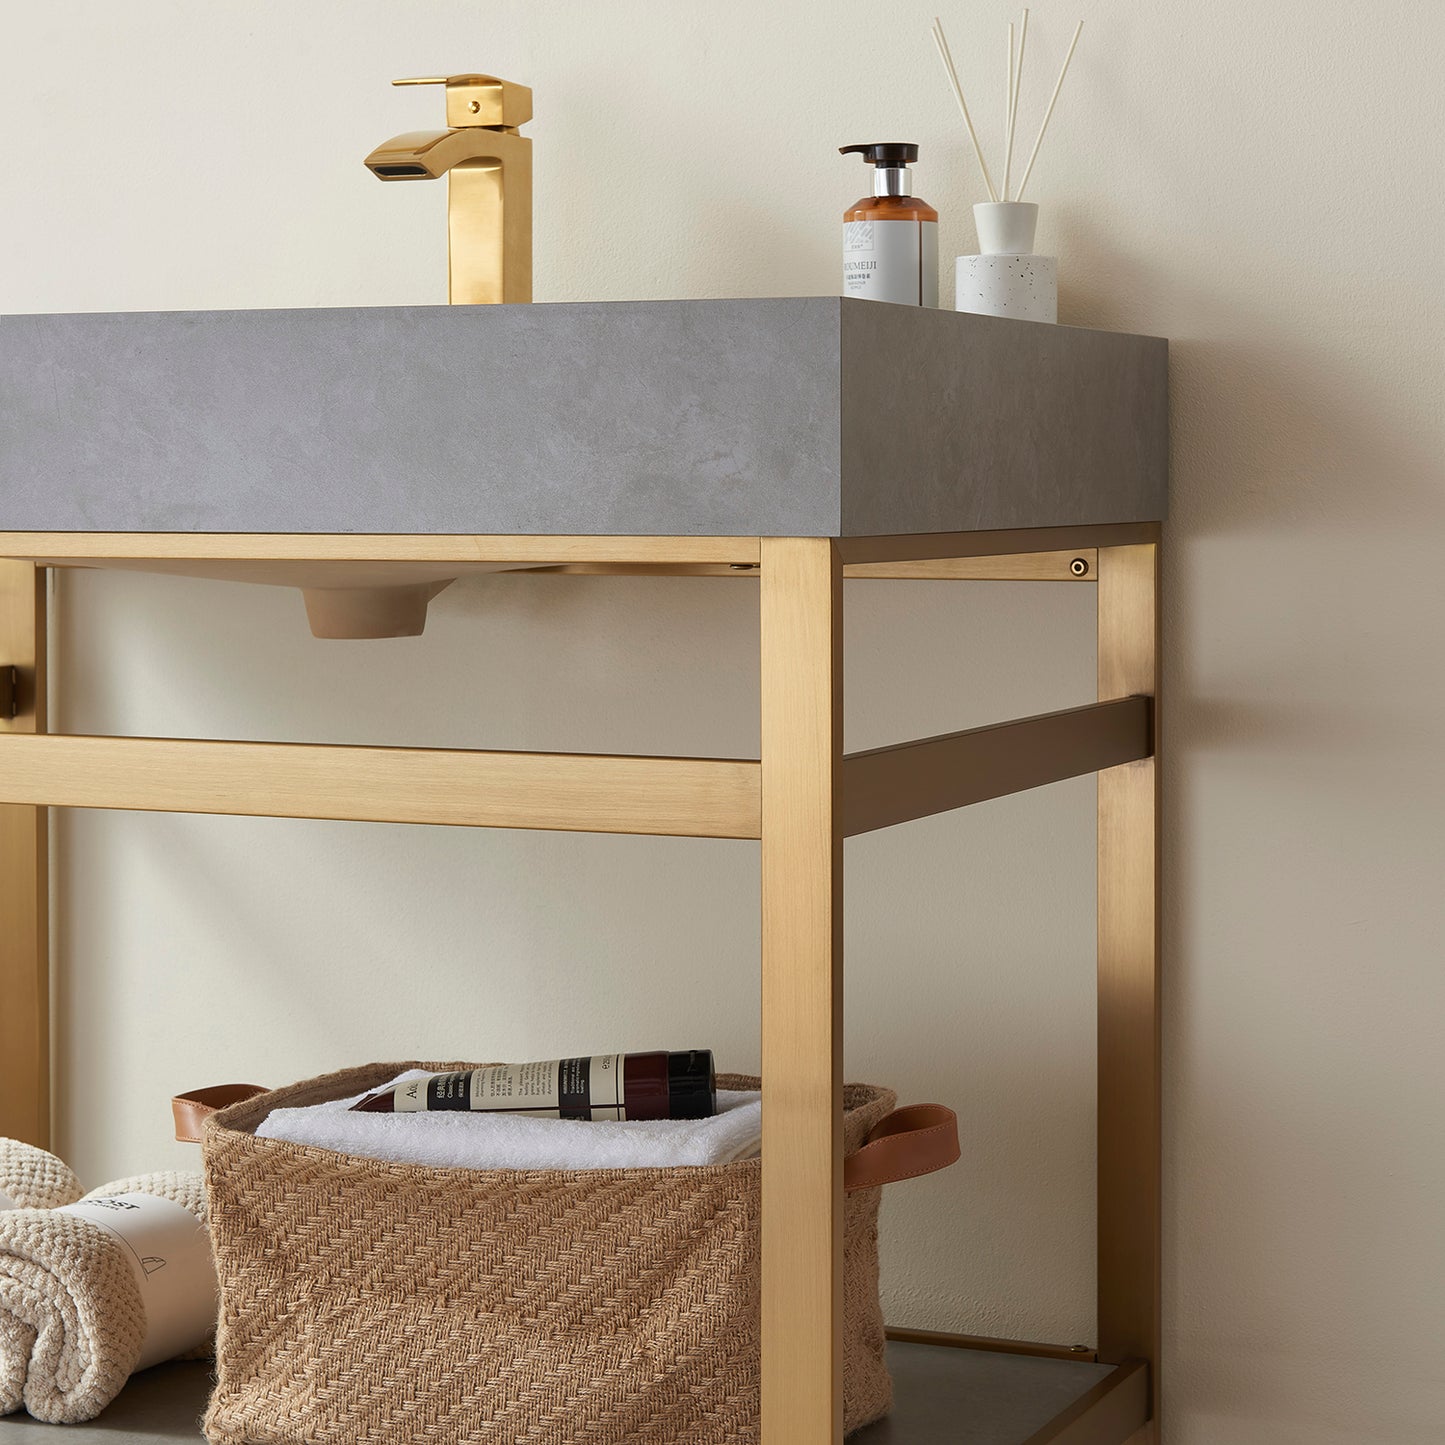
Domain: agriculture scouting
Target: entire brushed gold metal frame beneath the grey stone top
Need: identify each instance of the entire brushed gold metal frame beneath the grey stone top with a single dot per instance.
(800, 798)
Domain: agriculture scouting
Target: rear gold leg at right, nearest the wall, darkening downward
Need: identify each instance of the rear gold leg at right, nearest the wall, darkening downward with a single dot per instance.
(1129, 1119)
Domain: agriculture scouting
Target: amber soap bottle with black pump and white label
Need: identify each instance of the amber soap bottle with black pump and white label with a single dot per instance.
(891, 238)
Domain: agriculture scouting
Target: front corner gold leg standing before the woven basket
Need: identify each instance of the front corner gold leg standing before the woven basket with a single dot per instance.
(803, 992)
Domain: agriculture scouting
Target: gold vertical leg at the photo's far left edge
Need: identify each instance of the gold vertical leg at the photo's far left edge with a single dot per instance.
(25, 956)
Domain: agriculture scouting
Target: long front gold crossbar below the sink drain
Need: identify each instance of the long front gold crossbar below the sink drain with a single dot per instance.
(577, 793)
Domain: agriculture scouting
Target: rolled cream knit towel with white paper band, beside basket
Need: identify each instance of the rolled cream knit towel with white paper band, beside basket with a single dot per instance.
(102, 1288)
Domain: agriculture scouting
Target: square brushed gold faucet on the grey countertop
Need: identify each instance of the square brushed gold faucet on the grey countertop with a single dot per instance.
(489, 178)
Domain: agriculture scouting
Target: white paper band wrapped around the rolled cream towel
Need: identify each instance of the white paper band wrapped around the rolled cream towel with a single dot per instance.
(170, 1254)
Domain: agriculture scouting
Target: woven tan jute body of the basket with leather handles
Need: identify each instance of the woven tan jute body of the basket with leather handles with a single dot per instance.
(382, 1304)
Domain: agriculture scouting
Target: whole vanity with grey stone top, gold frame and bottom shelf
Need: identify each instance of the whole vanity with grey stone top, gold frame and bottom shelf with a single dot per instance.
(369, 457)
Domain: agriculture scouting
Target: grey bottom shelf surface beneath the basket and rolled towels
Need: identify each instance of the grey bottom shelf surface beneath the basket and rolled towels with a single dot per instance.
(941, 1398)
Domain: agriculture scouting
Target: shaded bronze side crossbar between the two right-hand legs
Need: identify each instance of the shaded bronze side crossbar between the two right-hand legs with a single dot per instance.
(892, 785)
